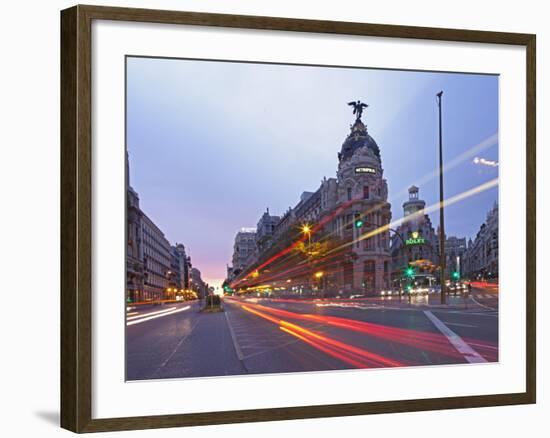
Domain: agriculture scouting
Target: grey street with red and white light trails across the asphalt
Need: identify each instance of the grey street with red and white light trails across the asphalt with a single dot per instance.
(262, 335)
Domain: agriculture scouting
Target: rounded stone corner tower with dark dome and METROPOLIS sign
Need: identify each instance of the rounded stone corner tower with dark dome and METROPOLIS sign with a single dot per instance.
(359, 196)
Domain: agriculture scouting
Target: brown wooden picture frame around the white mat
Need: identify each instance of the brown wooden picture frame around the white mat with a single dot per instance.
(76, 217)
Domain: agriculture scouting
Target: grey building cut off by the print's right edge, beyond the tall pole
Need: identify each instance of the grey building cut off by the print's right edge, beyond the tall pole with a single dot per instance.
(481, 257)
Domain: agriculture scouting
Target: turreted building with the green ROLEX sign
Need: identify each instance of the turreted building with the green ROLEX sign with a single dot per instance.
(415, 241)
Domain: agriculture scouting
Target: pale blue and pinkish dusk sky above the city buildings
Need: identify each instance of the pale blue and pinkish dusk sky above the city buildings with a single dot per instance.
(213, 144)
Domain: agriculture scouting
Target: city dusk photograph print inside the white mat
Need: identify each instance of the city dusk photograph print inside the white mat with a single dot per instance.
(287, 218)
